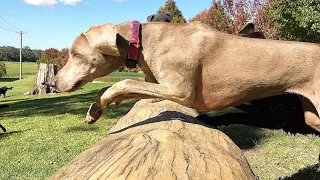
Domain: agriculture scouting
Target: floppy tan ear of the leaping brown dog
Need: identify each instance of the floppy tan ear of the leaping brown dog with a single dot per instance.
(103, 37)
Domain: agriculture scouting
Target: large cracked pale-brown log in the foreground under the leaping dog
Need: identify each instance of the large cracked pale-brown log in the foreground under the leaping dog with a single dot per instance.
(160, 140)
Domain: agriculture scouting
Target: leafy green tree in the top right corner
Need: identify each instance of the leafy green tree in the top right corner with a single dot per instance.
(297, 20)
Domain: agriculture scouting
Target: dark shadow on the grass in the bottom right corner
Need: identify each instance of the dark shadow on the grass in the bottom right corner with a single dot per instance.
(310, 173)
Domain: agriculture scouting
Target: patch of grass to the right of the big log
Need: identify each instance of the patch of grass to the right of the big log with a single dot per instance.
(274, 154)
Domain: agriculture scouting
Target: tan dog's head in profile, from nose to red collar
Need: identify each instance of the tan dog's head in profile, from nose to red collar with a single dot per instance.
(93, 54)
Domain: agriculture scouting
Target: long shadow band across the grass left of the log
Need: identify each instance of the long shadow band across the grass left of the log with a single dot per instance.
(77, 104)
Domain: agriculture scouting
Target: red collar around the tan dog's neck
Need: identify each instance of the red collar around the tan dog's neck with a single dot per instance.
(133, 45)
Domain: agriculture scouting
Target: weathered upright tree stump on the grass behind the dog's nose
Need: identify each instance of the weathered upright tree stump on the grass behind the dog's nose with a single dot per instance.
(45, 75)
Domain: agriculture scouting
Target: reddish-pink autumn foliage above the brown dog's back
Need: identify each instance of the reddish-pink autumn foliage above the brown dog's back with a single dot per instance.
(232, 15)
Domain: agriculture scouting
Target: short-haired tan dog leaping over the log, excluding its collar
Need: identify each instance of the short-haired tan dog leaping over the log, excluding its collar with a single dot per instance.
(194, 65)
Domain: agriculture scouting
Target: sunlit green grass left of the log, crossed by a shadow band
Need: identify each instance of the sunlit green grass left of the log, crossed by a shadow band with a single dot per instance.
(47, 131)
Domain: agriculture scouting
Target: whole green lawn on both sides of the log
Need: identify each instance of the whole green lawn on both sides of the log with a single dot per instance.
(47, 131)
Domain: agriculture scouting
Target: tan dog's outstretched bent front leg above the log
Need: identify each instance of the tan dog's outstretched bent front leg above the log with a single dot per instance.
(131, 89)
